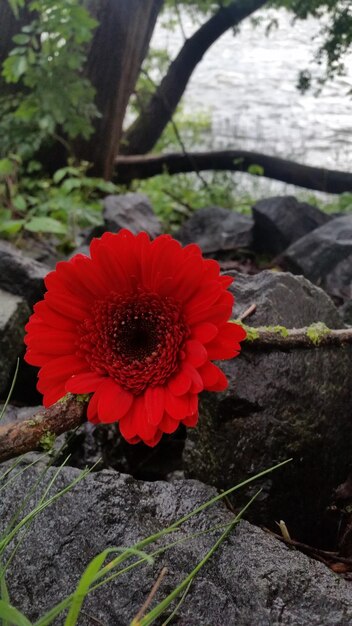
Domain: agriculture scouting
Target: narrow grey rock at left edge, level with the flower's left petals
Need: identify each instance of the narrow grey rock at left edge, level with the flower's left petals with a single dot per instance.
(14, 313)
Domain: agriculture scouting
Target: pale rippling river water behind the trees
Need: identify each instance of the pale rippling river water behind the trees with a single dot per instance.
(246, 83)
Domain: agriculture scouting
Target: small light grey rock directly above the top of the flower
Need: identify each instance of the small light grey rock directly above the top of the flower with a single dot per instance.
(132, 211)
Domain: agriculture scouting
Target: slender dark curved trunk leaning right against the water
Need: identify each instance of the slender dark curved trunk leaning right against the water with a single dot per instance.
(142, 136)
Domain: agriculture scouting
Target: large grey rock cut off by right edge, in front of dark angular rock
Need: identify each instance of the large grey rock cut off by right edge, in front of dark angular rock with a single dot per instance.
(325, 257)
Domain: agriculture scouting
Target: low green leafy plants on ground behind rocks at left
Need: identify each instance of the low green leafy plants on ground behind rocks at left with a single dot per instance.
(59, 205)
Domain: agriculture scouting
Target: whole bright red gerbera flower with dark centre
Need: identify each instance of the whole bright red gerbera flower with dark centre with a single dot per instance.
(137, 325)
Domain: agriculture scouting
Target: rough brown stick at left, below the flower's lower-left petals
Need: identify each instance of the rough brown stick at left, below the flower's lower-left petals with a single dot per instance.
(21, 437)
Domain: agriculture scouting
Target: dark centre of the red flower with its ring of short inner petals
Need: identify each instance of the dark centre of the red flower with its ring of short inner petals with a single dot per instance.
(136, 340)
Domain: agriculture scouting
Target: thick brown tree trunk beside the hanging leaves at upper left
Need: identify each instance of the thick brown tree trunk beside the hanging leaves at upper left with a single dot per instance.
(116, 53)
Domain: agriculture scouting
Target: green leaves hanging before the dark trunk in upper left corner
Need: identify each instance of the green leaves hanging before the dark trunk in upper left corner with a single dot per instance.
(52, 96)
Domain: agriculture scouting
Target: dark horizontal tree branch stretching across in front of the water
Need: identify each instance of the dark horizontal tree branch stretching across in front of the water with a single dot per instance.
(128, 168)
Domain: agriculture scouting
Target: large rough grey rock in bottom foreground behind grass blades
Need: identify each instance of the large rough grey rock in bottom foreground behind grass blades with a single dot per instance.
(251, 579)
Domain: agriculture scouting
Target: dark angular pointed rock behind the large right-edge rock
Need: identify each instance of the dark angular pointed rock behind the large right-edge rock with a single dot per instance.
(281, 220)
